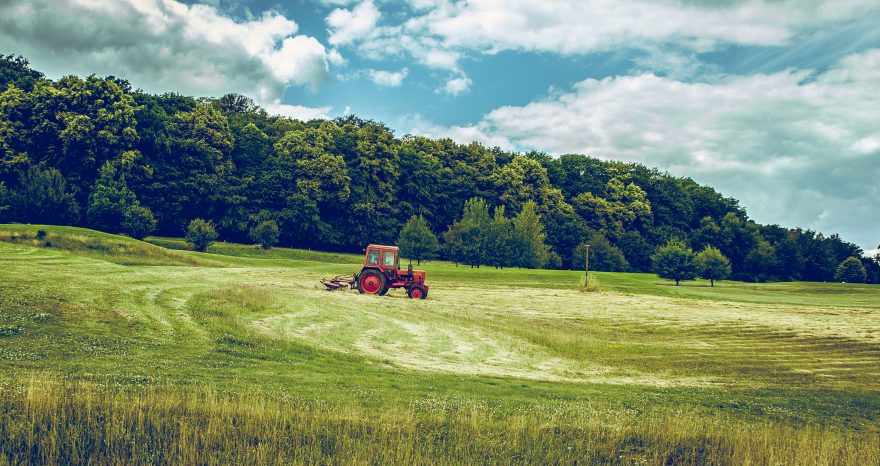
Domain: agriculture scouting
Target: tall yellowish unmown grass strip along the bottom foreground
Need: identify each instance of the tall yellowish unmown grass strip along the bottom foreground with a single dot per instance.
(51, 422)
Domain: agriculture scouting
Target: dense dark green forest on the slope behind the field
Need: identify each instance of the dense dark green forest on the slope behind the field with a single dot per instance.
(95, 152)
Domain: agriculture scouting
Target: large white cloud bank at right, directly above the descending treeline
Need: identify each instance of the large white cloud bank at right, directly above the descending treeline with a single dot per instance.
(797, 147)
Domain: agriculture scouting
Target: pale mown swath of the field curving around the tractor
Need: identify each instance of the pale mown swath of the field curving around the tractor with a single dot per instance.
(494, 329)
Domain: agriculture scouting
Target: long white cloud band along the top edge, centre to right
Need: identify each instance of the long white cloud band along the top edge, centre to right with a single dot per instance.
(438, 33)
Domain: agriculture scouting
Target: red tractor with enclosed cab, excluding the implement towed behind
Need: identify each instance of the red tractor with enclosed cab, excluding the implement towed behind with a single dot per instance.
(380, 273)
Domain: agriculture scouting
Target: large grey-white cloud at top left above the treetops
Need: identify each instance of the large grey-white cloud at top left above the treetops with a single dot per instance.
(165, 45)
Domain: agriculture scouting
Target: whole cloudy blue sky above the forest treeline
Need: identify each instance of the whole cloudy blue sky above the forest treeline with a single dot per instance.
(773, 102)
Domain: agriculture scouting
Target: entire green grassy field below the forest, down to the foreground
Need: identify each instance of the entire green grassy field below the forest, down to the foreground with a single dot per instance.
(116, 350)
